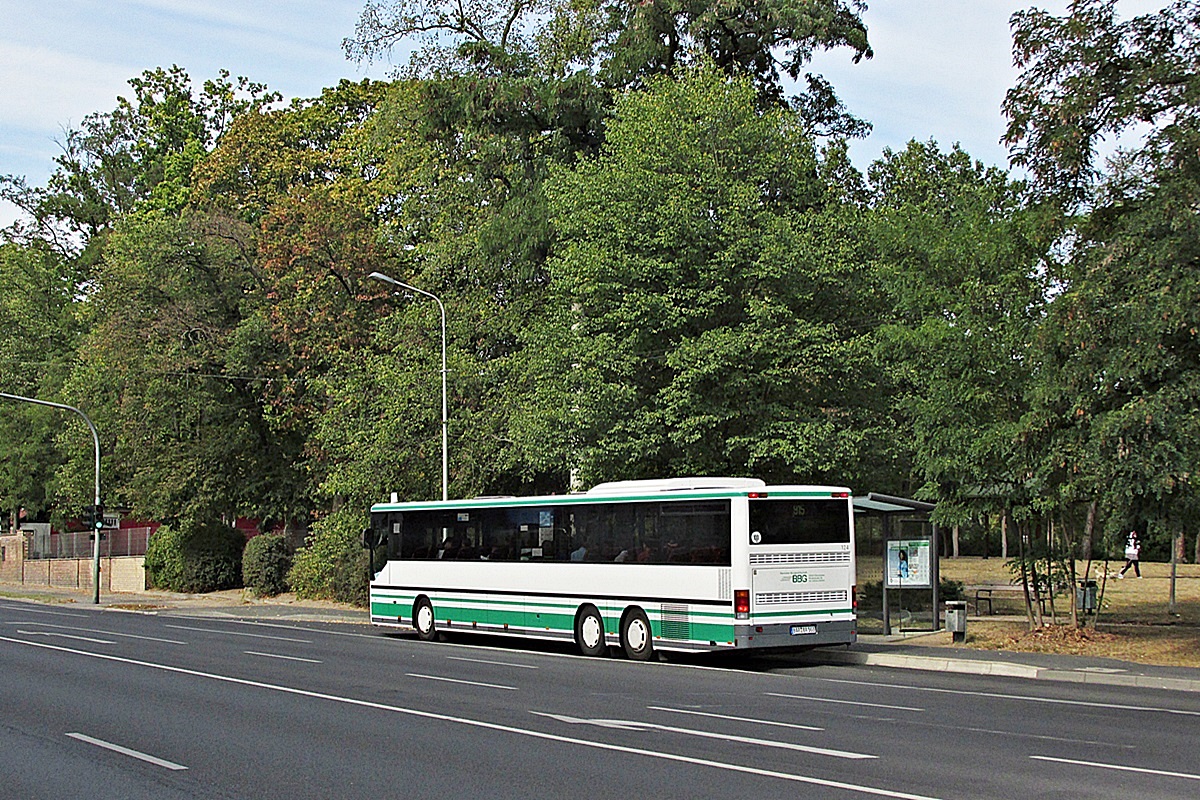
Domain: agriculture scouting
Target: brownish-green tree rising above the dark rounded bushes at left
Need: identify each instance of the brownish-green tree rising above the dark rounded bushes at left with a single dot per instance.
(188, 434)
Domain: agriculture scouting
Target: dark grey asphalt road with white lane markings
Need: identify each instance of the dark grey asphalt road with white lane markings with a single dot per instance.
(134, 706)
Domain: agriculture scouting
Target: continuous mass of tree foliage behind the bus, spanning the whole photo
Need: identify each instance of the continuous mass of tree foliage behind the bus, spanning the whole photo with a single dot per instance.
(650, 266)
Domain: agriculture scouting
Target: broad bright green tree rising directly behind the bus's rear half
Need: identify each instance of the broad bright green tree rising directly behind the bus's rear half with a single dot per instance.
(706, 297)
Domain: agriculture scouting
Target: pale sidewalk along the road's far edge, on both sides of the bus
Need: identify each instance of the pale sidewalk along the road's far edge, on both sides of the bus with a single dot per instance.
(903, 652)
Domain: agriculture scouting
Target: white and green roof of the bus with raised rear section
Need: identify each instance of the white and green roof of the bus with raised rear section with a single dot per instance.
(633, 492)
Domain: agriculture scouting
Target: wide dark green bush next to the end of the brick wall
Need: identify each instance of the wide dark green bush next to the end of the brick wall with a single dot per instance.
(195, 558)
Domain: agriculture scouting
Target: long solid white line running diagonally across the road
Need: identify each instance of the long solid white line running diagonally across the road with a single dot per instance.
(487, 726)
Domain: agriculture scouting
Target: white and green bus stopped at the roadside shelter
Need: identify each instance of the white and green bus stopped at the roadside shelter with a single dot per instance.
(682, 564)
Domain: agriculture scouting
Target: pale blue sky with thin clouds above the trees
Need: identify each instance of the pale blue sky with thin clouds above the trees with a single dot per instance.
(940, 71)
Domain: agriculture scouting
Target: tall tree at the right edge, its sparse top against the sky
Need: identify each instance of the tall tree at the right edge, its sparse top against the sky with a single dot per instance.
(1119, 393)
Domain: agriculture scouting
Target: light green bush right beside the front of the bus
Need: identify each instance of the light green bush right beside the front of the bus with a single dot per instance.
(333, 566)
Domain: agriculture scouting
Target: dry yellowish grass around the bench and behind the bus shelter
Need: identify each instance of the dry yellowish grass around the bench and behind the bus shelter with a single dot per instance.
(1135, 623)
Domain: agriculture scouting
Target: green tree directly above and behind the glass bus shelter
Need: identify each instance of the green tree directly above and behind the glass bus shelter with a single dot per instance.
(962, 256)
